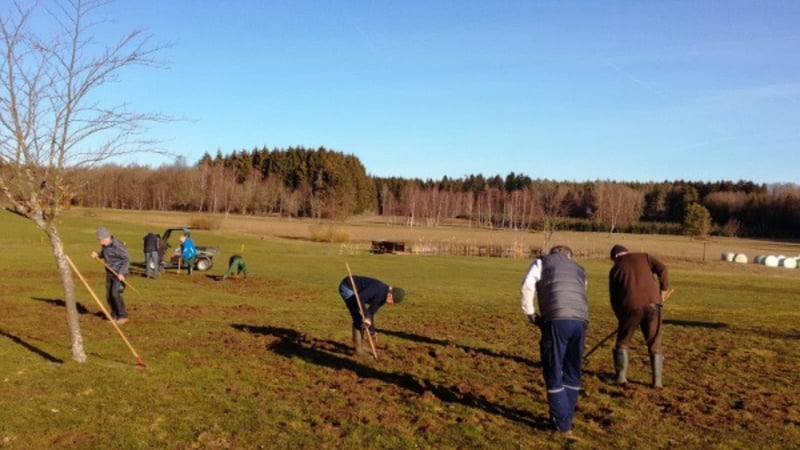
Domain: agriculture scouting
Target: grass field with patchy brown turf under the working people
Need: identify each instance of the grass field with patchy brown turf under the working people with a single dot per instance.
(266, 363)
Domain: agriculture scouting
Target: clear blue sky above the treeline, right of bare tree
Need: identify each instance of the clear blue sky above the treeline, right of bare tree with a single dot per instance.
(566, 90)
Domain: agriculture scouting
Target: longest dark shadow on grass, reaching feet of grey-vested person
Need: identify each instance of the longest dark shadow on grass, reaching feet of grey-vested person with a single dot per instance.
(293, 344)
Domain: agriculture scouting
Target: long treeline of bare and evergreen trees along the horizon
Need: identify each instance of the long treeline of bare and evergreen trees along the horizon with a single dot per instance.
(321, 183)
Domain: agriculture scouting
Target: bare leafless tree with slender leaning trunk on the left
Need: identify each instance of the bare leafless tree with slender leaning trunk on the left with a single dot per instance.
(50, 118)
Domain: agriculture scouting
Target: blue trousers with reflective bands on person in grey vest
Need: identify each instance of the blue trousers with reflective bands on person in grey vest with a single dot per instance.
(561, 349)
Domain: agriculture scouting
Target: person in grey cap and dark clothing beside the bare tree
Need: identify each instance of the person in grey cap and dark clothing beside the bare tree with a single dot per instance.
(116, 258)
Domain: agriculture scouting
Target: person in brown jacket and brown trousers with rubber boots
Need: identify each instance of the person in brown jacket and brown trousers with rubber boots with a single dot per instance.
(637, 300)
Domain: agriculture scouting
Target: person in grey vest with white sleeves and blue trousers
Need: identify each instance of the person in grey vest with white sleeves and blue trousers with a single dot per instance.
(560, 285)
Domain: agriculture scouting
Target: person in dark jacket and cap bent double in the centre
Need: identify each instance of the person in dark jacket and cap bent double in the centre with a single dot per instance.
(373, 294)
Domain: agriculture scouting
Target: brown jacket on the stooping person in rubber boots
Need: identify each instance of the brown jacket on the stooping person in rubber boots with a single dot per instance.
(630, 282)
